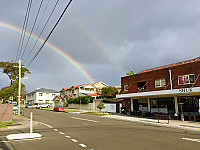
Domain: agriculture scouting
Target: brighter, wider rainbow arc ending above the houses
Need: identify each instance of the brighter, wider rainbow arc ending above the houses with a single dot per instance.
(54, 48)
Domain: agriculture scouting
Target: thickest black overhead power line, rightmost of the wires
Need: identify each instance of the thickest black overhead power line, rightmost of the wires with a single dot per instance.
(50, 32)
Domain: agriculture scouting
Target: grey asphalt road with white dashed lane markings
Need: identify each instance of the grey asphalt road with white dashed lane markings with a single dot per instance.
(79, 132)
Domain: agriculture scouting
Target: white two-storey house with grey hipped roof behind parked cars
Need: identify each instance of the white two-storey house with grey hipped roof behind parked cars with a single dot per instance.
(41, 95)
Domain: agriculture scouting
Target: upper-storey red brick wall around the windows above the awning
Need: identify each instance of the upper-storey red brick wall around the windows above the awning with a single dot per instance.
(190, 68)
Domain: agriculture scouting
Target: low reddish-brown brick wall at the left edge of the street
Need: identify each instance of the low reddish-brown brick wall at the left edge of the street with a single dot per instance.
(6, 112)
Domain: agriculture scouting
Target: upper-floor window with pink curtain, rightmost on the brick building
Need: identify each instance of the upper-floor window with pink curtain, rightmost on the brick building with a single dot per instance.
(186, 79)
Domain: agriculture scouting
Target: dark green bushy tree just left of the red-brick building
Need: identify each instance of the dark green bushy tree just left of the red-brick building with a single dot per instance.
(109, 92)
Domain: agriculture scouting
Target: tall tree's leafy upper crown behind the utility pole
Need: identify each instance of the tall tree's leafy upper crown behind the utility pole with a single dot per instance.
(12, 71)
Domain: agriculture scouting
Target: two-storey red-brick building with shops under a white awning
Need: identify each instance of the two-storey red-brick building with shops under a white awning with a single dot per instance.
(172, 89)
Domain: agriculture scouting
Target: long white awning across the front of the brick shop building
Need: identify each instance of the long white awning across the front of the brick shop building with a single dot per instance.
(163, 93)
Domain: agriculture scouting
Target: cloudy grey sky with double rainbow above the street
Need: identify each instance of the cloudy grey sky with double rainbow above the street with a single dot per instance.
(98, 40)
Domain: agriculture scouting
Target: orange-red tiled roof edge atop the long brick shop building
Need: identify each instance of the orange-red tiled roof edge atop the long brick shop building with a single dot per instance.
(171, 65)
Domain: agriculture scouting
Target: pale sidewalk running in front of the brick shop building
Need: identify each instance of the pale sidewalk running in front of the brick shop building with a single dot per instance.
(186, 125)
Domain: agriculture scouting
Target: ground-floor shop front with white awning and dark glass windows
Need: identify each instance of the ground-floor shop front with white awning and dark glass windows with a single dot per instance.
(180, 104)
